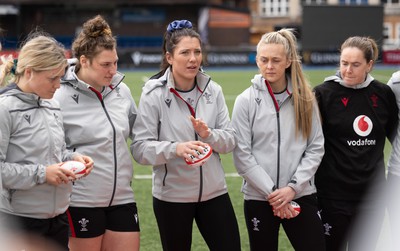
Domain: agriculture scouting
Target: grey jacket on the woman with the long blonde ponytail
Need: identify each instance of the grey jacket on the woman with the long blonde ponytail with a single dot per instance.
(269, 155)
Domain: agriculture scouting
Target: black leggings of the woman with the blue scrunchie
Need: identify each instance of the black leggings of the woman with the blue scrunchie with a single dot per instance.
(215, 219)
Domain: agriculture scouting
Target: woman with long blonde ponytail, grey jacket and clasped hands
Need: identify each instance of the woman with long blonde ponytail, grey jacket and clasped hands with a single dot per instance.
(280, 146)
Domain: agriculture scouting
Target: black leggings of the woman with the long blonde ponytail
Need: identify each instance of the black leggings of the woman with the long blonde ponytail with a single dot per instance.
(305, 231)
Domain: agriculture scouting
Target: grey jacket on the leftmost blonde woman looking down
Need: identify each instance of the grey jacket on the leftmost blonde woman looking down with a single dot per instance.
(32, 138)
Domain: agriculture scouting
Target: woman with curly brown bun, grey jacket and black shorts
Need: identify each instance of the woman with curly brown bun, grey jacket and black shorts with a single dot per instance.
(99, 113)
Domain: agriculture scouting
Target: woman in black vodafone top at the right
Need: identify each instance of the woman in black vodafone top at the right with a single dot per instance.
(358, 114)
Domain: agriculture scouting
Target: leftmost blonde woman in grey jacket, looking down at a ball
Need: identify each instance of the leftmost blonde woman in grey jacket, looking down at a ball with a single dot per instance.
(35, 188)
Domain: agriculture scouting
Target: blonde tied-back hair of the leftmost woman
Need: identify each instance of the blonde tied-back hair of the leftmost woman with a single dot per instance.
(40, 52)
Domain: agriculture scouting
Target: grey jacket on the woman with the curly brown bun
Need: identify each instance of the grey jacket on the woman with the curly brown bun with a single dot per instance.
(98, 125)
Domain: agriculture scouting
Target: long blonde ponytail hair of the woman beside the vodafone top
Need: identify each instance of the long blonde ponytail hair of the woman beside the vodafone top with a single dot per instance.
(302, 94)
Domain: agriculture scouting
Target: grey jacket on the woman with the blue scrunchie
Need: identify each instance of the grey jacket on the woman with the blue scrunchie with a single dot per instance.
(163, 121)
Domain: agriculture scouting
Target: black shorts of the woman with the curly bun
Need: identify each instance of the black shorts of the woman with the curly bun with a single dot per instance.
(92, 222)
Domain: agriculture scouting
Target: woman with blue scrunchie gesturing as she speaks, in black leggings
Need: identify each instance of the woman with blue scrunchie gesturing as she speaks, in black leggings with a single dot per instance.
(180, 110)
